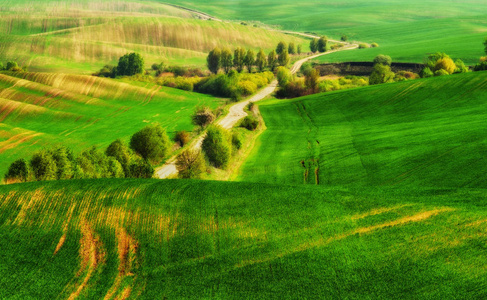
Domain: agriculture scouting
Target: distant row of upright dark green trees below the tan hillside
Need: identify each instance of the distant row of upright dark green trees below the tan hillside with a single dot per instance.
(240, 59)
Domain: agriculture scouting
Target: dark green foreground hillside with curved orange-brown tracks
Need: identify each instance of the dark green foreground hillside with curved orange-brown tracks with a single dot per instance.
(183, 239)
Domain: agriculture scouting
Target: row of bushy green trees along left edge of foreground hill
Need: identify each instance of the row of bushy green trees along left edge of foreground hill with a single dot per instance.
(148, 146)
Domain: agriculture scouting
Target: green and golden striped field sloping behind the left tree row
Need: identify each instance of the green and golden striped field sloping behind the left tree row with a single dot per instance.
(41, 110)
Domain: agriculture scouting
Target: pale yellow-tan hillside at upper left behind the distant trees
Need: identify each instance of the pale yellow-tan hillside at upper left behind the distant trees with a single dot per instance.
(82, 36)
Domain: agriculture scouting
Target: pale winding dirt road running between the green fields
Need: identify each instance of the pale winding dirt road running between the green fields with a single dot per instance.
(237, 113)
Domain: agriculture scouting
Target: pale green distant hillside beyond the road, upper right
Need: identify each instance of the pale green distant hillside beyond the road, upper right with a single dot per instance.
(406, 30)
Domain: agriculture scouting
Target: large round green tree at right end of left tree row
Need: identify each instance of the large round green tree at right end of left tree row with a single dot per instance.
(151, 142)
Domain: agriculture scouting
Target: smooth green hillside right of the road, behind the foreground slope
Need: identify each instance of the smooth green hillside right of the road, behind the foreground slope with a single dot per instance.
(419, 133)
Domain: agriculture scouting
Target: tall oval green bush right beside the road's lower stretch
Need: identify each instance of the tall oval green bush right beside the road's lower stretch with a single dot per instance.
(216, 146)
